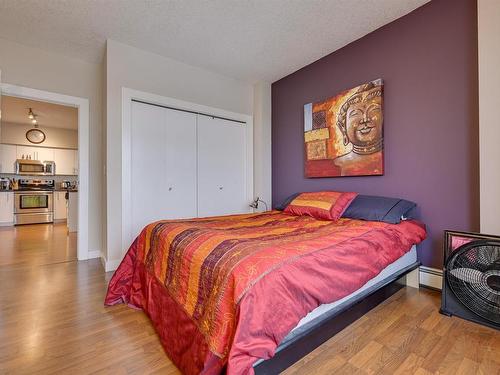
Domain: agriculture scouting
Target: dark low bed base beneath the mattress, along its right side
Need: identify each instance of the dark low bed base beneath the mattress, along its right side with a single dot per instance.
(299, 346)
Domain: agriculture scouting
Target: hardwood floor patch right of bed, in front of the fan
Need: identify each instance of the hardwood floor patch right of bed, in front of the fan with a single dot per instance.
(407, 335)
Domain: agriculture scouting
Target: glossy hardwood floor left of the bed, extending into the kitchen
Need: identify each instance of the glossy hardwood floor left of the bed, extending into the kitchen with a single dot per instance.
(52, 318)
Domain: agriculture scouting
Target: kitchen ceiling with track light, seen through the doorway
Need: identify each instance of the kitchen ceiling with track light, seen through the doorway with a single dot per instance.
(15, 110)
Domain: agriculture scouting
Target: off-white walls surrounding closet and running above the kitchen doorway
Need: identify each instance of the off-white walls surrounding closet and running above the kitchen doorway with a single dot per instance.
(125, 66)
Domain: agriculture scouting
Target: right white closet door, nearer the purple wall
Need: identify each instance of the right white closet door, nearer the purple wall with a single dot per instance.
(221, 167)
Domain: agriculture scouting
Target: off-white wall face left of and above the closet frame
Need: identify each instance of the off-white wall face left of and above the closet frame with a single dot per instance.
(136, 69)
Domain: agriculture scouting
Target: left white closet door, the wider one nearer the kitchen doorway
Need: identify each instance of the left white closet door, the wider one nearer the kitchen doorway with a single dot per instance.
(163, 146)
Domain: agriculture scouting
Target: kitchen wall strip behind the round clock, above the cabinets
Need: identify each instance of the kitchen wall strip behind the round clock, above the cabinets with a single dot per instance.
(55, 137)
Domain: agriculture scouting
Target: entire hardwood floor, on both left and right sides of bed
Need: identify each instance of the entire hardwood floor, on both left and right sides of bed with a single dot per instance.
(52, 321)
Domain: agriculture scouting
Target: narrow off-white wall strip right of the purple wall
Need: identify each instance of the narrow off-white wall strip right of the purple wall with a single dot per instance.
(489, 119)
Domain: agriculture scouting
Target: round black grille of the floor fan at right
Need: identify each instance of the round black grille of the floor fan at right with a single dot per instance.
(473, 274)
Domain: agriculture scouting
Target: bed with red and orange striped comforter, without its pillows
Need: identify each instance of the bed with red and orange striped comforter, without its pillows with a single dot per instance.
(228, 293)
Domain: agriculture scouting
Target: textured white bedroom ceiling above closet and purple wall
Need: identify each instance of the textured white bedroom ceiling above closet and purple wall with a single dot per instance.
(250, 40)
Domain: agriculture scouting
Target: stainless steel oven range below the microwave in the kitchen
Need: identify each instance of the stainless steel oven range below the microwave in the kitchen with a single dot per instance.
(34, 202)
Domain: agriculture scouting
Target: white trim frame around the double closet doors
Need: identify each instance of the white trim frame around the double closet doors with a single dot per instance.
(128, 95)
